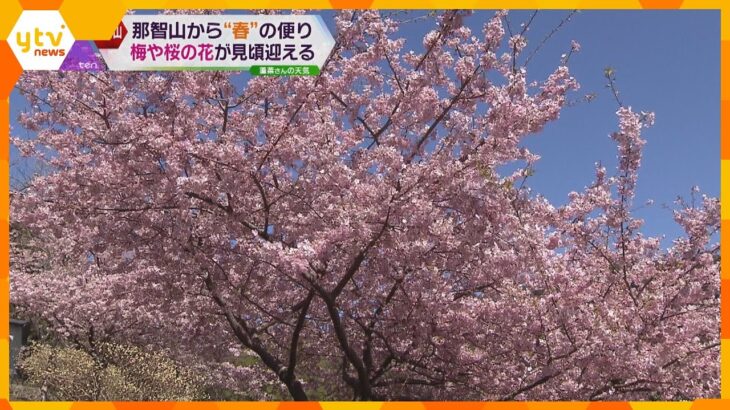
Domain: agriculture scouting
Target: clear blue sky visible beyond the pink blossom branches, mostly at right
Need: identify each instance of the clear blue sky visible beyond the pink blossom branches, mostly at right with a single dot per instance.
(666, 61)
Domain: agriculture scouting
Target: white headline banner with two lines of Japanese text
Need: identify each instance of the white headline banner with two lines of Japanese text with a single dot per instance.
(234, 42)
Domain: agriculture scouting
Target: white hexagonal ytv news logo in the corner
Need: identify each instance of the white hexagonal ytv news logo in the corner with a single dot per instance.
(40, 40)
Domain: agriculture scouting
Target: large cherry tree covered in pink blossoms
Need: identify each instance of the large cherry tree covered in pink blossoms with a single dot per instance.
(354, 233)
